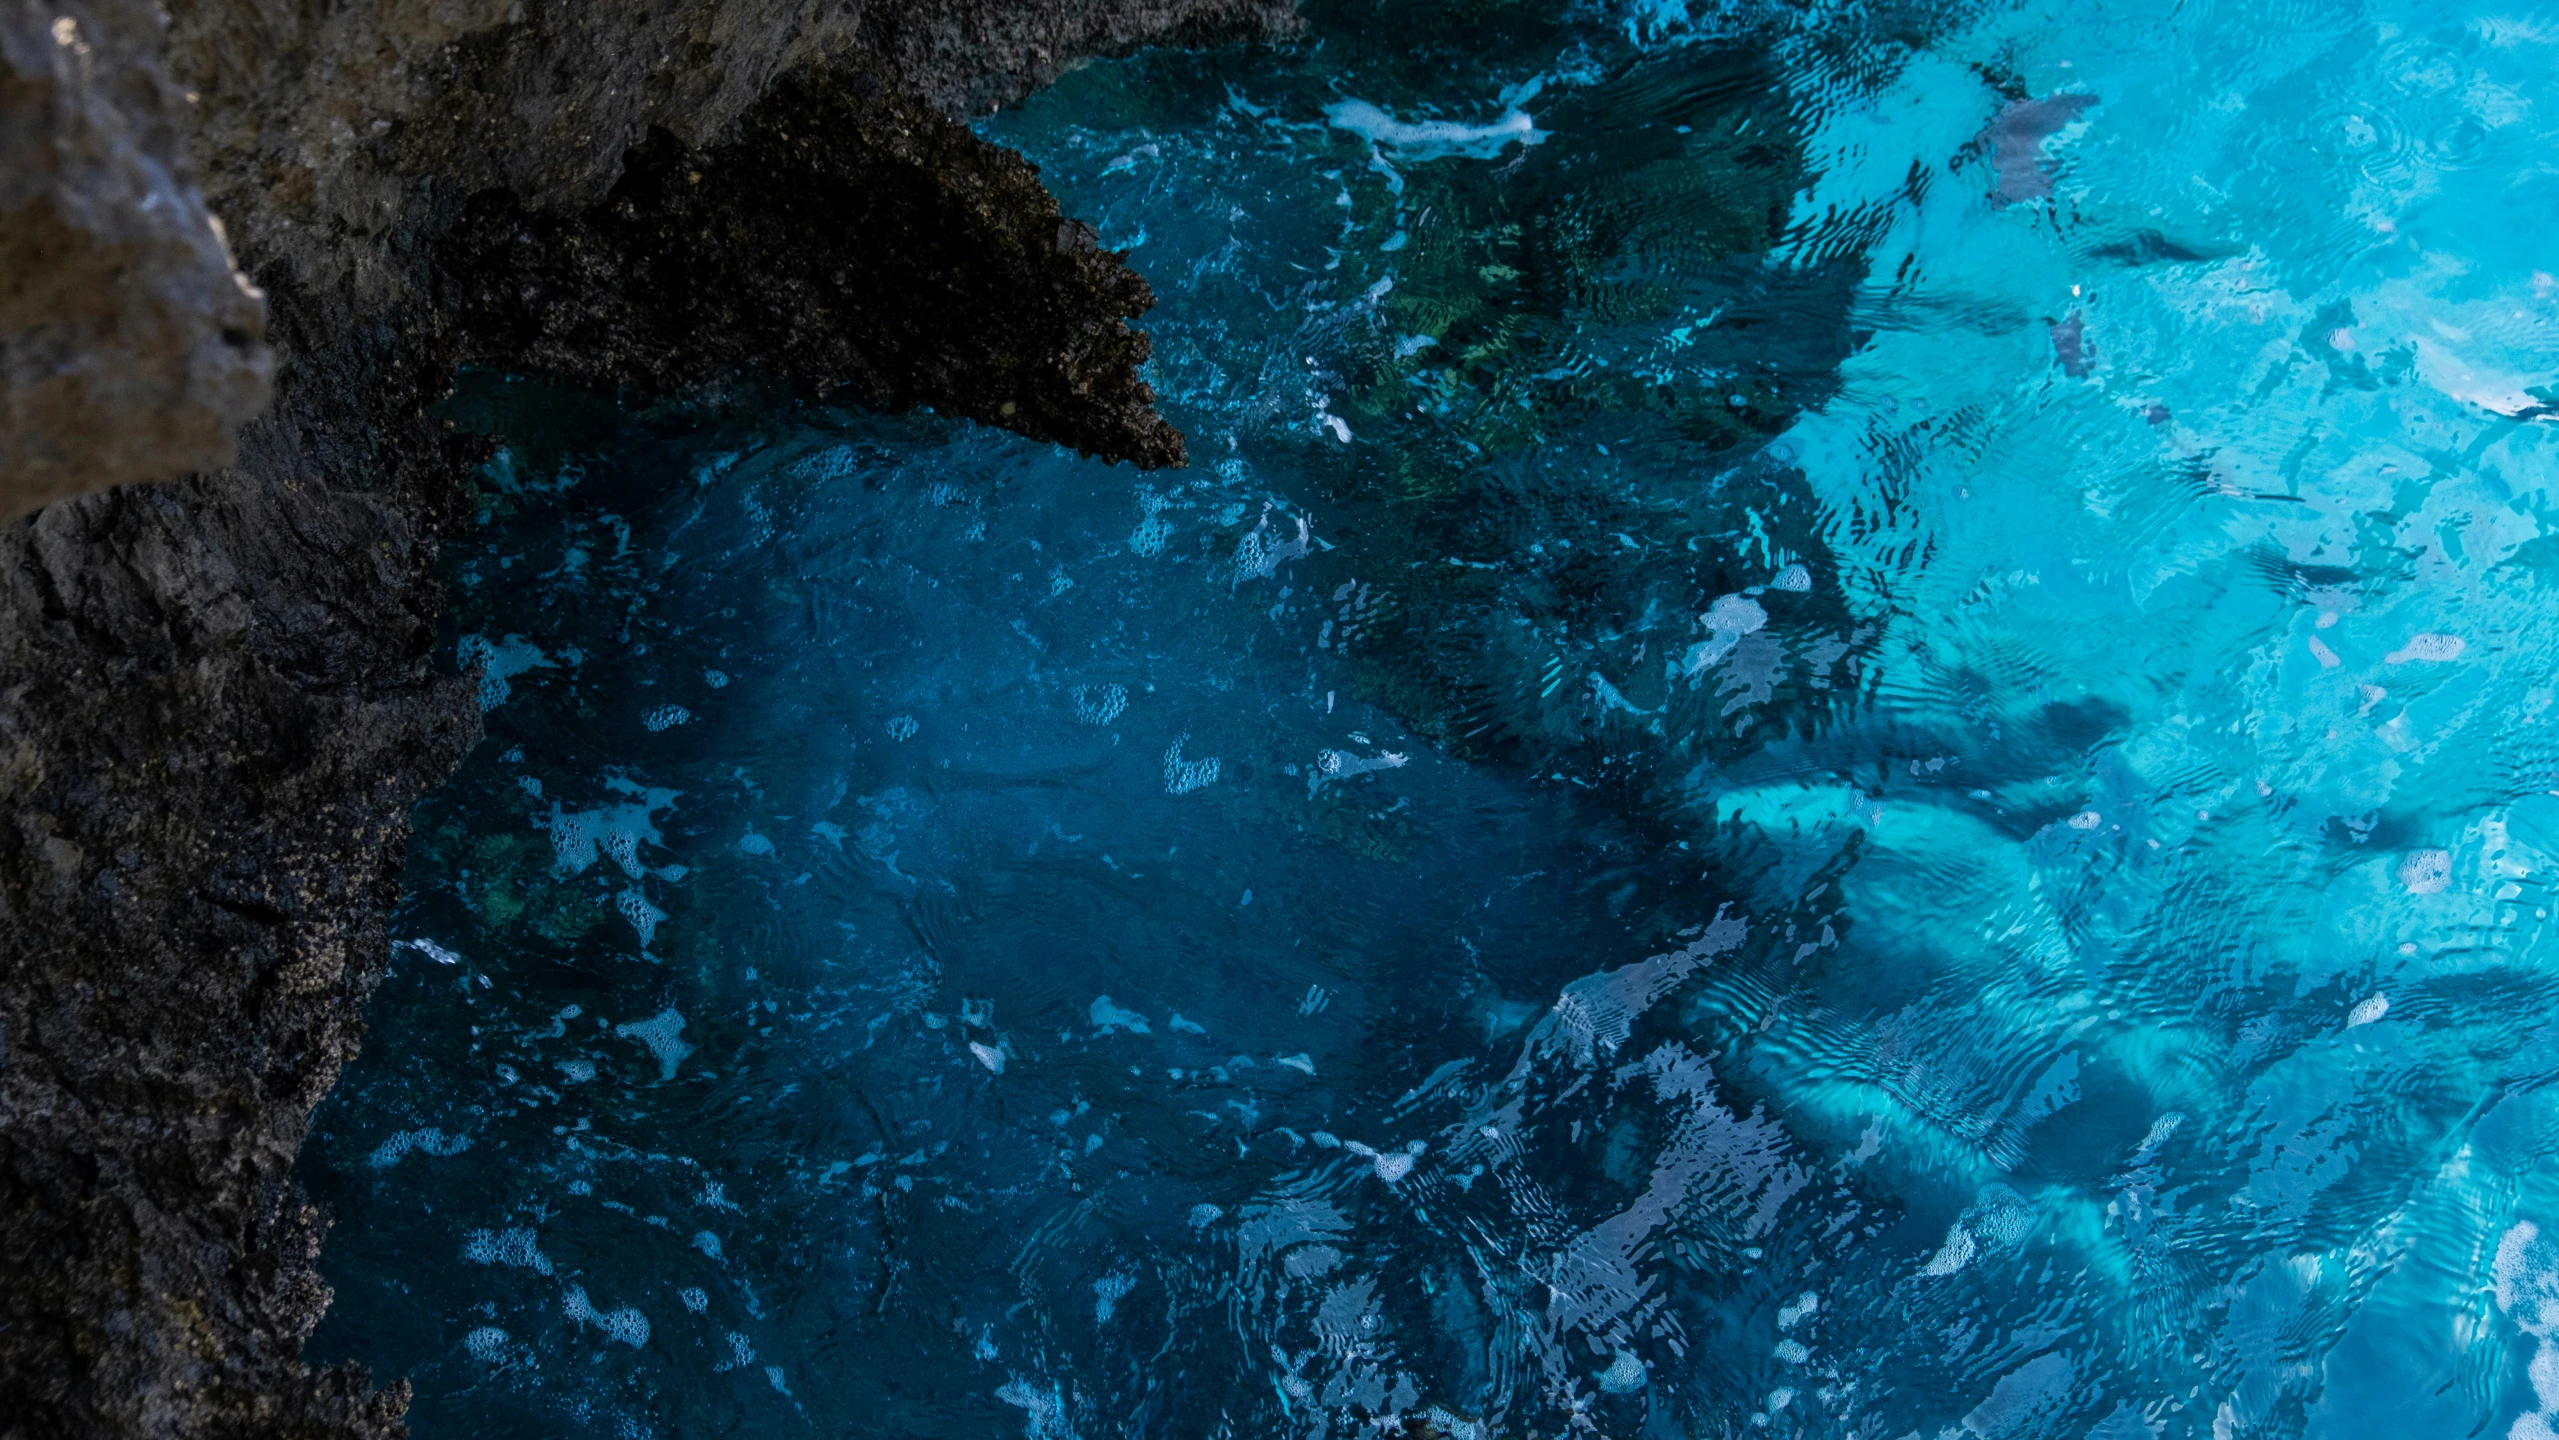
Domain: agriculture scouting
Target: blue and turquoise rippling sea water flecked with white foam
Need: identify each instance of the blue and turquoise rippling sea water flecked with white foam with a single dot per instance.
(1846, 733)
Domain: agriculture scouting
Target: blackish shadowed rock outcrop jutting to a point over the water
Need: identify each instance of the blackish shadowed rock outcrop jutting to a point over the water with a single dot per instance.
(848, 237)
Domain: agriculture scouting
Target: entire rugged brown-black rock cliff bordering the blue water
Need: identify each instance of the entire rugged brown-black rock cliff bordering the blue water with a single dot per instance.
(216, 692)
